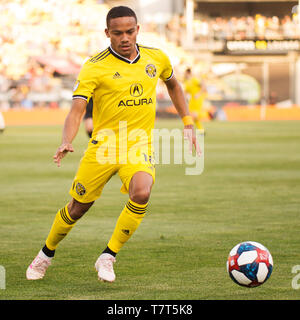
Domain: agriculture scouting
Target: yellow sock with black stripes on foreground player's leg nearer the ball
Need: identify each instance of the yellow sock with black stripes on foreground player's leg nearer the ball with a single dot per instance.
(129, 220)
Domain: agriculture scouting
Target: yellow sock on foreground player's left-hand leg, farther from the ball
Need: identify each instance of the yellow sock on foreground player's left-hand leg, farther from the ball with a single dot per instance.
(61, 226)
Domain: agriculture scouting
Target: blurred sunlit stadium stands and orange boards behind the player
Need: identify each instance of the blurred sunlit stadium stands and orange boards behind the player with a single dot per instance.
(246, 52)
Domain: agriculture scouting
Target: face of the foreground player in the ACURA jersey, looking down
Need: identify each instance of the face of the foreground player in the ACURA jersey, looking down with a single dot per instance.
(122, 33)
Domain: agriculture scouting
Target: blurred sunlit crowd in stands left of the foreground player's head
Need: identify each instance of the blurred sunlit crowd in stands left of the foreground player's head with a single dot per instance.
(66, 30)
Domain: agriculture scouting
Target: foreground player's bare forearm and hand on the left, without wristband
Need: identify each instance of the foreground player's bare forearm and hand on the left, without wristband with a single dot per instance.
(71, 126)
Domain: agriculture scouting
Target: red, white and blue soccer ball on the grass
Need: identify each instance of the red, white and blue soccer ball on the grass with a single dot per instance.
(249, 264)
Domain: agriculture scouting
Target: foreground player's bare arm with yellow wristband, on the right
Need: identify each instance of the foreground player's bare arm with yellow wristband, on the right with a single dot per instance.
(177, 96)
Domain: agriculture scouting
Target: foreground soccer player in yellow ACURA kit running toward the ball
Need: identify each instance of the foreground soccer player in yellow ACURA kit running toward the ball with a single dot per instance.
(122, 83)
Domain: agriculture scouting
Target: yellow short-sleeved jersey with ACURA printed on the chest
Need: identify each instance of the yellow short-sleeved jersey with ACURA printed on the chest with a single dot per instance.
(123, 91)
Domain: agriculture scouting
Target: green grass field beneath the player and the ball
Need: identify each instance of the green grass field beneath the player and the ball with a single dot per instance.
(249, 190)
